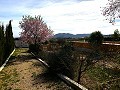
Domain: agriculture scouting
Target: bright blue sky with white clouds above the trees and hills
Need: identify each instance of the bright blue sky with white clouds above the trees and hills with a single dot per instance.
(63, 16)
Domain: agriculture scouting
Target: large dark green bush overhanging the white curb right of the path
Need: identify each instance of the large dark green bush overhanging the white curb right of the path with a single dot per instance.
(60, 61)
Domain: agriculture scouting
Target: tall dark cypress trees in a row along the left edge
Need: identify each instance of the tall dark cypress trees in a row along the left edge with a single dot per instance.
(6, 42)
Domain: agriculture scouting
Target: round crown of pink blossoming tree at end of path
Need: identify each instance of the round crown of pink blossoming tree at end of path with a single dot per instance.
(34, 30)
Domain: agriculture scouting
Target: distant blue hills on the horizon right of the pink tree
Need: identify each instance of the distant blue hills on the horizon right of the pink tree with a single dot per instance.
(68, 35)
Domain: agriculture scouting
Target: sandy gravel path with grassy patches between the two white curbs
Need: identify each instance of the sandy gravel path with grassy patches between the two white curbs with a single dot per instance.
(25, 73)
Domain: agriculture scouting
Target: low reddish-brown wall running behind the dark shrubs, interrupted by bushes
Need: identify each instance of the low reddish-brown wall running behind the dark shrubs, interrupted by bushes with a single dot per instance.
(105, 47)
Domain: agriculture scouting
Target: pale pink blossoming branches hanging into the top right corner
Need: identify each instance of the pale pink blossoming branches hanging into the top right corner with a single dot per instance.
(112, 10)
